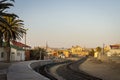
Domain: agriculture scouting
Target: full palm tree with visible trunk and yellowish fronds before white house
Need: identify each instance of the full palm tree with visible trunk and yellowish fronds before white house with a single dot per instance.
(14, 30)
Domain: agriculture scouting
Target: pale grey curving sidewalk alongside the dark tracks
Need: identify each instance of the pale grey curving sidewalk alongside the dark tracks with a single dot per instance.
(24, 71)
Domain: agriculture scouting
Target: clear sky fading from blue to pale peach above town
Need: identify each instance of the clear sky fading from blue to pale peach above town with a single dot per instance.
(66, 23)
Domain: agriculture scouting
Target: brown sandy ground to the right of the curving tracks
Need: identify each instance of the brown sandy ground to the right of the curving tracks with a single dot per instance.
(103, 70)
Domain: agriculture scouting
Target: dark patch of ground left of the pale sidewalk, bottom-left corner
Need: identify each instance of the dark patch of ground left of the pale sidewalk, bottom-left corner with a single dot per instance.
(3, 70)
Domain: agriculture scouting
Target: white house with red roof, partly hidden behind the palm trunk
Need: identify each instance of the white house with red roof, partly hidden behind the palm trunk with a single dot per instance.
(17, 52)
